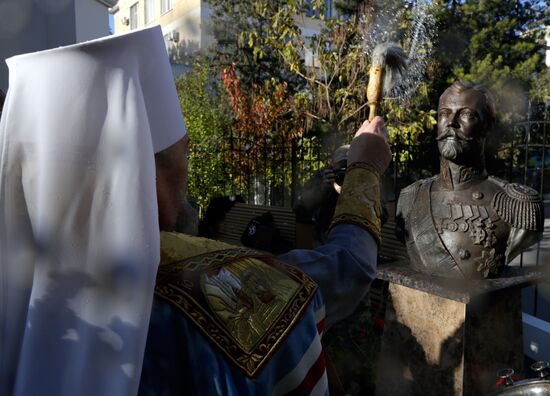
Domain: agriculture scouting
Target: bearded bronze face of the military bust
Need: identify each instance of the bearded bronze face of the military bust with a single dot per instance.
(461, 127)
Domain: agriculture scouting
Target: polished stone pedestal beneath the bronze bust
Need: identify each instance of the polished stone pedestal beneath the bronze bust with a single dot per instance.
(442, 337)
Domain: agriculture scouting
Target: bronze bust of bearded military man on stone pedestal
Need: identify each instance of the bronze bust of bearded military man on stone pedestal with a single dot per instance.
(463, 223)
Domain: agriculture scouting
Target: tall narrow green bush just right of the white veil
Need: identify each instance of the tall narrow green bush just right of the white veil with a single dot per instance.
(208, 119)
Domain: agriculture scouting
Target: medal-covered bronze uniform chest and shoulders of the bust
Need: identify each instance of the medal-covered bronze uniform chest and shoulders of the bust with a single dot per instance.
(469, 232)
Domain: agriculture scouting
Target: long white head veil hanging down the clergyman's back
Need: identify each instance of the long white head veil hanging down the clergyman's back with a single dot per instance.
(79, 236)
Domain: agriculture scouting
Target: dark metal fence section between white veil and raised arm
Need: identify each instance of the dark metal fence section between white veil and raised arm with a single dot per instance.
(263, 173)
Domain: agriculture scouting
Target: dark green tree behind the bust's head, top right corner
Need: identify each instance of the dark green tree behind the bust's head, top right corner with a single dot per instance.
(494, 42)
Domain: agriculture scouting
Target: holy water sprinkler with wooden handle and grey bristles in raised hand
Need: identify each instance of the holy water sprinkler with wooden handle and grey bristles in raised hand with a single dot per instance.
(389, 62)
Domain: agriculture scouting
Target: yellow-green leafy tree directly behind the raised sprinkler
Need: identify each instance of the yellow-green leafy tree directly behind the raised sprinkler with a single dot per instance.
(337, 78)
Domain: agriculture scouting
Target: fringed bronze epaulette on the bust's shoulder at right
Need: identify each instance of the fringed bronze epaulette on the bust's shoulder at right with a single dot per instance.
(519, 205)
